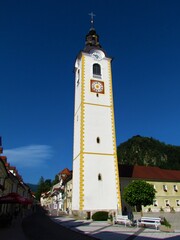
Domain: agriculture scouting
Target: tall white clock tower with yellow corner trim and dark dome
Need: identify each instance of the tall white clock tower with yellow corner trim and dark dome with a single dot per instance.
(95, 167)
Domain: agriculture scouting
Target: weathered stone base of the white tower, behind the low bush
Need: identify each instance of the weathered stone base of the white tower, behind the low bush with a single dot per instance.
(87, 214)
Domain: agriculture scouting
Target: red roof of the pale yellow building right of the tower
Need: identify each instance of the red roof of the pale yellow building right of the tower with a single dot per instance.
(148, 173)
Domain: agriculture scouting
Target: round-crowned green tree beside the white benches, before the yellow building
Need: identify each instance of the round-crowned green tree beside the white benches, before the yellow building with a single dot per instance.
(139, 193)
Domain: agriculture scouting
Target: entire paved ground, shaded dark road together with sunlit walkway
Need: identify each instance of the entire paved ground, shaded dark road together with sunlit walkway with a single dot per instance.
(40, 226)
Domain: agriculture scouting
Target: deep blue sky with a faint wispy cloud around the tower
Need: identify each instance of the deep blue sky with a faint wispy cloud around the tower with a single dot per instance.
(39, 41)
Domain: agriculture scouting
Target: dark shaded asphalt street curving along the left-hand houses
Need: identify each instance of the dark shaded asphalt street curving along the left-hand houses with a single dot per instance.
(39, 226)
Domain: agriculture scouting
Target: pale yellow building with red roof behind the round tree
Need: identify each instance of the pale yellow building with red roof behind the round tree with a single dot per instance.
(165, 182)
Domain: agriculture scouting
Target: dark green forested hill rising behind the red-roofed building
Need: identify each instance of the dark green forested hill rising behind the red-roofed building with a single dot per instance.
(150, 152)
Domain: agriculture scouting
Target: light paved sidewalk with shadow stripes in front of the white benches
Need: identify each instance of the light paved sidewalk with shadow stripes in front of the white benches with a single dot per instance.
(106, 231)
